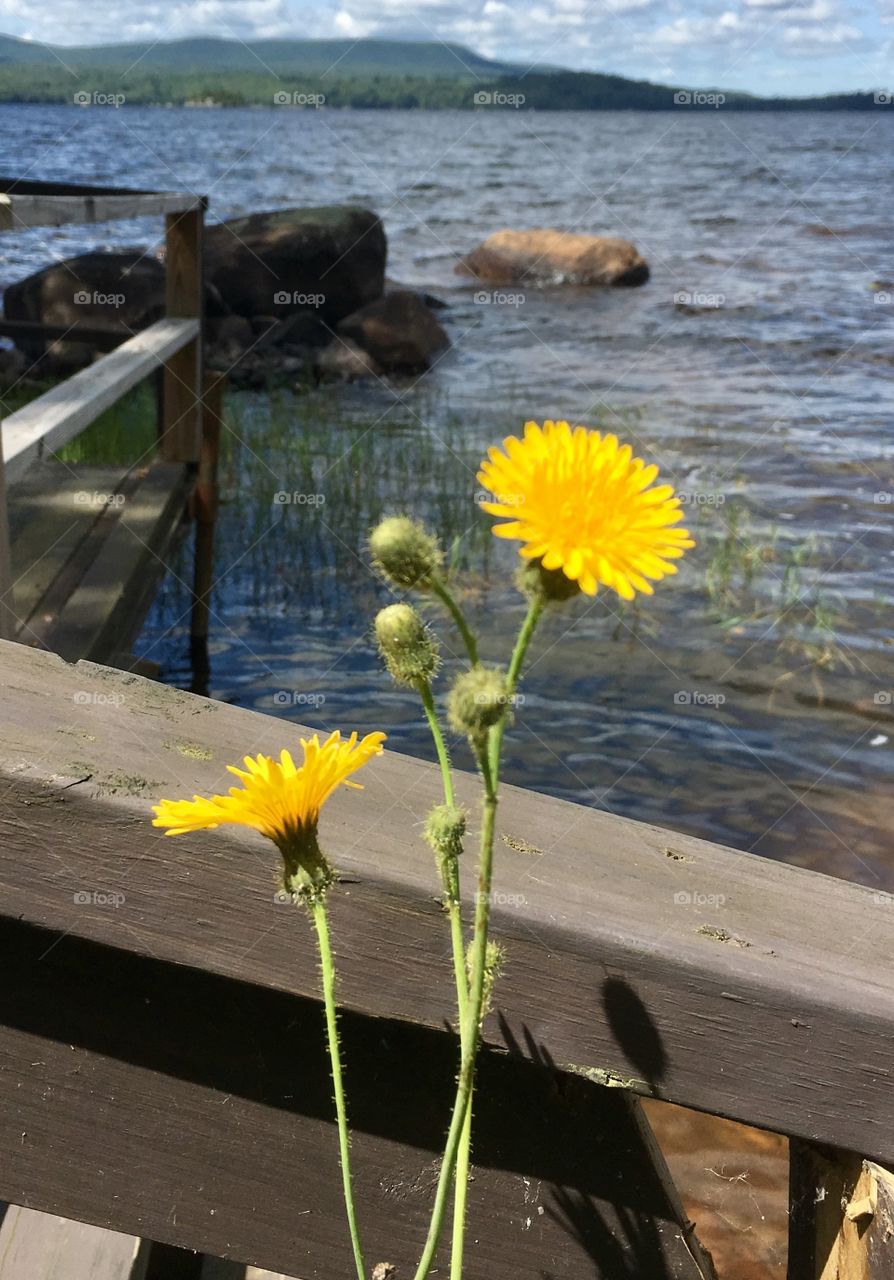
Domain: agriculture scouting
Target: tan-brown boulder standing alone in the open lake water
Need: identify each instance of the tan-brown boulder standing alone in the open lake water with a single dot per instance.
(549, 257)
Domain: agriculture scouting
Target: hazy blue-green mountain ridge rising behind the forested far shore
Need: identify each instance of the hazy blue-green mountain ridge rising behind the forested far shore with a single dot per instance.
(340, 58)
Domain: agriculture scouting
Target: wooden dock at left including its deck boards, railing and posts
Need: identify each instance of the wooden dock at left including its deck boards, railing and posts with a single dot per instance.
(83, 550)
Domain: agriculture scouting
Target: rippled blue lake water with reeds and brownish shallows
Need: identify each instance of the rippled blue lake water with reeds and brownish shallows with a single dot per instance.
(750, 702)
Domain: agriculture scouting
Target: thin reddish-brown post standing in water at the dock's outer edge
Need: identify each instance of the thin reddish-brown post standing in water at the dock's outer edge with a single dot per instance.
(206, 505)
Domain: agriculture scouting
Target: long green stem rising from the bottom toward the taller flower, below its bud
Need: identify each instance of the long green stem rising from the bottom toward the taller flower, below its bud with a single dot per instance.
(472, 1026)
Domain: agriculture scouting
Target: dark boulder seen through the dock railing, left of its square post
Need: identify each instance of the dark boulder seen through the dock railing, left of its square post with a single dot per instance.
(117, 292)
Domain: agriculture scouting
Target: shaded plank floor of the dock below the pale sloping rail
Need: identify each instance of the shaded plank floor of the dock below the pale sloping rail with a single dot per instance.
(89, 547)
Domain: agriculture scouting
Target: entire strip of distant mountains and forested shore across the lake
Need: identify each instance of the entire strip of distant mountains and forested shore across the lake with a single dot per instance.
(359, 75)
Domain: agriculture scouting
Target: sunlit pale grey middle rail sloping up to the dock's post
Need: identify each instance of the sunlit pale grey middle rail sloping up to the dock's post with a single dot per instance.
(52, 420)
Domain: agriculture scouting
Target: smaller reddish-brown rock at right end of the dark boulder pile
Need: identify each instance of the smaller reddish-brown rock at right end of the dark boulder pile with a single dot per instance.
(399, 332)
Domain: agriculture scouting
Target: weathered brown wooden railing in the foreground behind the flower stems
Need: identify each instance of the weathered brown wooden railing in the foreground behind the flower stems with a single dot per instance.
(162, 1067)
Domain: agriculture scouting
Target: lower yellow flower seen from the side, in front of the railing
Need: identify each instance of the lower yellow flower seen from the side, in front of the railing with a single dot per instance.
(280, 799)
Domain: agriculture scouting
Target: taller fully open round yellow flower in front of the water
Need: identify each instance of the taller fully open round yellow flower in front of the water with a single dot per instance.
(582, 504)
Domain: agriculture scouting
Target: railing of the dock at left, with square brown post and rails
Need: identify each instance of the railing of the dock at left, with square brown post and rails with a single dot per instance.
(176, 342)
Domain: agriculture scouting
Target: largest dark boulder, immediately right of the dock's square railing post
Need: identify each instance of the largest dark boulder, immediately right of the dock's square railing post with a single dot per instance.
(330, 260)
